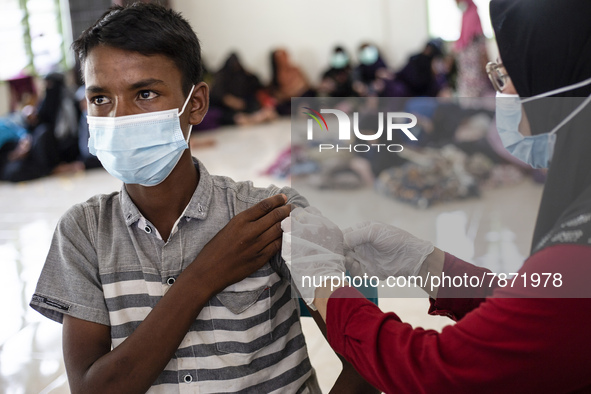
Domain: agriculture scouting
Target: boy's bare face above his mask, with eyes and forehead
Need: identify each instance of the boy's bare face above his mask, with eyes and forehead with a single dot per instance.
(120, 83)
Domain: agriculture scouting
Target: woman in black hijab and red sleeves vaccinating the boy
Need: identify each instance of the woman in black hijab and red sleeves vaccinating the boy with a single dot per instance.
(512, 334)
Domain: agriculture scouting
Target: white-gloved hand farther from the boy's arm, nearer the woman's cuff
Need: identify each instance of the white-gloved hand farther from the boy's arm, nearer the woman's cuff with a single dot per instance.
(381, 250)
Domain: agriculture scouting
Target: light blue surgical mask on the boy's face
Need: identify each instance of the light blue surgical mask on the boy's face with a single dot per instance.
(142, 148)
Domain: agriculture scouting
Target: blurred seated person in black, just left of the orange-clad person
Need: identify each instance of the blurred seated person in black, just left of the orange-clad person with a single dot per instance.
(236, 92)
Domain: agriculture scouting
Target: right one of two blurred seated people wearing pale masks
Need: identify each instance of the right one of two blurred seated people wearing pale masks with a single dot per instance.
(371, 74)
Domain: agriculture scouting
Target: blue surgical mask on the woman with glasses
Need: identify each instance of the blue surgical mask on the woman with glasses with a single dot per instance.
(535, 150)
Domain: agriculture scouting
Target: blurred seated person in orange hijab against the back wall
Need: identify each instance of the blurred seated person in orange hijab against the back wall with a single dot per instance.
(287, 81)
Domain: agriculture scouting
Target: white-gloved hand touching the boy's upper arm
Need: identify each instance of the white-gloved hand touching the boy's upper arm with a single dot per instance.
(312, 249)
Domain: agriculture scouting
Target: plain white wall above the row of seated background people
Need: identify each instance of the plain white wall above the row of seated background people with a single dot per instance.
(307, 28)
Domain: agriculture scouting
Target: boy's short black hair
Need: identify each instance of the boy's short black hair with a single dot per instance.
(149, 29)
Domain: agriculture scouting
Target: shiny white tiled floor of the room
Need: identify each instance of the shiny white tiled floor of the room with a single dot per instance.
(494, 230)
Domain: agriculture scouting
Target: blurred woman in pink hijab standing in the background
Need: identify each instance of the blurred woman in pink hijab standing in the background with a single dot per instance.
(471, 54)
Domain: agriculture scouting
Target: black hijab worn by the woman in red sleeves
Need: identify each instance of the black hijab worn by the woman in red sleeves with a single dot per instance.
(546, 45)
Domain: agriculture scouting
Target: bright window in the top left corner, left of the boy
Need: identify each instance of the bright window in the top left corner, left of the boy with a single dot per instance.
(34, 36)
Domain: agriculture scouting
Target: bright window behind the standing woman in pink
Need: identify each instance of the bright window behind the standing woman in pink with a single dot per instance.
(445, 19)
